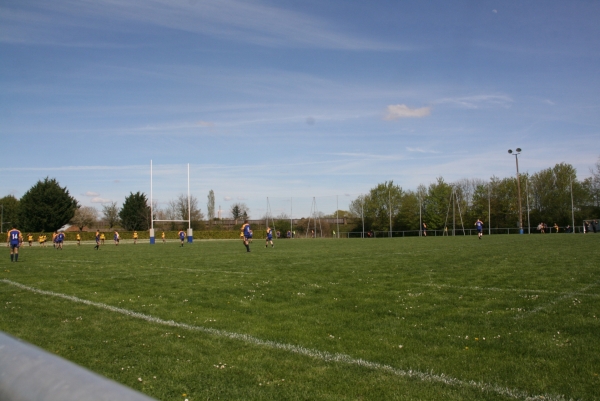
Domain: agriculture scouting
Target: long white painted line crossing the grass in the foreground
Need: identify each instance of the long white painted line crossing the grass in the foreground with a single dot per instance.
(313, 353)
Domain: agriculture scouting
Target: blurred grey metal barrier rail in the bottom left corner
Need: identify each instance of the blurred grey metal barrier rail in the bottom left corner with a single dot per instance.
(28, 373)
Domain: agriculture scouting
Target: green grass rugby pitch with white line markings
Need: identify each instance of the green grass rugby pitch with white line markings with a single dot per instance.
(434, 318)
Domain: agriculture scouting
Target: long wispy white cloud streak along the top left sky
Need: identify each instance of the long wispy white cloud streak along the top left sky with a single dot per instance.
(235, 20)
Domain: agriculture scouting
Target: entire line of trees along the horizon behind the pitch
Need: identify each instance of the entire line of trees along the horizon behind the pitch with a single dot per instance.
(553, 195)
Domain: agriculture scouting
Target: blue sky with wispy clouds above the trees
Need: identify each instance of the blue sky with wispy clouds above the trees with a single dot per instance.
(291, 106)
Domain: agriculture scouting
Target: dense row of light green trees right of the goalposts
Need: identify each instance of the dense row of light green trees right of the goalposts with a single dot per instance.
(553, 195)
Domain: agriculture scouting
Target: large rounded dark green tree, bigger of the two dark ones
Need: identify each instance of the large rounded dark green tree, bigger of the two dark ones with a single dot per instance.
(46, 206)
